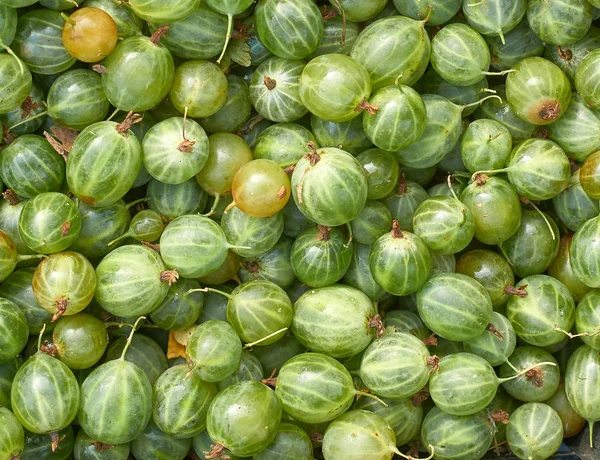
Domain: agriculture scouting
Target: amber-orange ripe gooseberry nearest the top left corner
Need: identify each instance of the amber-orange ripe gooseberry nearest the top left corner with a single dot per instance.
(89, 34)
